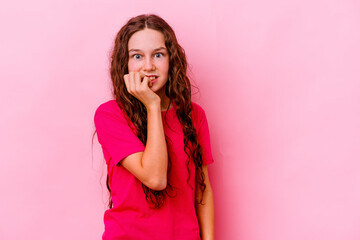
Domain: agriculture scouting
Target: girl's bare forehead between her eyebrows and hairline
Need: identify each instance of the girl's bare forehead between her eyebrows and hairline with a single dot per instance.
(146, 39)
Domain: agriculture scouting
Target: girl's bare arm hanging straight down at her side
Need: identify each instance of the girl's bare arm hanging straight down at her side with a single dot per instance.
(205, 213)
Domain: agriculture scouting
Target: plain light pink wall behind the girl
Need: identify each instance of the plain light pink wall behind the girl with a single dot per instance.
(279, 81)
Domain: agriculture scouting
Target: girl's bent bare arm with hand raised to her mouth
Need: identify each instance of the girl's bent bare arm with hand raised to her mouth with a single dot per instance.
(149, 166)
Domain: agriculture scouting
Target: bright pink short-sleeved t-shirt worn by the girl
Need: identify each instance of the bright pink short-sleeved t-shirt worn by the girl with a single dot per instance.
(131, 217)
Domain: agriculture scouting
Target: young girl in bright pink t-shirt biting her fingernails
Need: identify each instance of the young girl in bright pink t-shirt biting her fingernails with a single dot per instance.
(155, 140)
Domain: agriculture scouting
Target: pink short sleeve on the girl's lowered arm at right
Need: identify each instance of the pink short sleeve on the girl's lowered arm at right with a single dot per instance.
(203, 135)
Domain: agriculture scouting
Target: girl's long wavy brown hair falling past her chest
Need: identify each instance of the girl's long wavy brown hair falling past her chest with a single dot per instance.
(177, 89)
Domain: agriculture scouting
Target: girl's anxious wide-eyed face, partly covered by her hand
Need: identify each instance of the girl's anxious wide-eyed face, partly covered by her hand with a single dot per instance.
(148, 55)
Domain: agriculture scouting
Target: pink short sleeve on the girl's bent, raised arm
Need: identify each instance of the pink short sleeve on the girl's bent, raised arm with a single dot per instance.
(114, 134)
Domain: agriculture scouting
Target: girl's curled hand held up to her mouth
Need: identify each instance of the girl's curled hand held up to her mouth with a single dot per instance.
(139, 85)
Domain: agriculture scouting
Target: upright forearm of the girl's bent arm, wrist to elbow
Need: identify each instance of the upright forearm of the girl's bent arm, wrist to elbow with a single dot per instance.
(155, 157)
